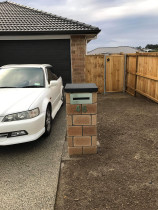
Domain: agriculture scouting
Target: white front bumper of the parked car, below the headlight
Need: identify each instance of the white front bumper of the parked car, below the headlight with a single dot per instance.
(34, 127)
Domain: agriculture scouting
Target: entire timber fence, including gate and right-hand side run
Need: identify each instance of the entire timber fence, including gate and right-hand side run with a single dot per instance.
(108, 73)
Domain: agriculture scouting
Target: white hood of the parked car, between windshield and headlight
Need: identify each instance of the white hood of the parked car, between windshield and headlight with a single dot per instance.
(14, 100)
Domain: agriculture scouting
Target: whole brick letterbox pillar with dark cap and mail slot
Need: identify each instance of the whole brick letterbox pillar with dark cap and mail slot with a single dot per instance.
(81, 111)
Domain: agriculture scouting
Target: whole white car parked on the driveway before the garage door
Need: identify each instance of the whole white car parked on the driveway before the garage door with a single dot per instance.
(30, 97)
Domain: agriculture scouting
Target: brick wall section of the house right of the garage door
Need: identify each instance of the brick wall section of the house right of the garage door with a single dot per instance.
(78, 52)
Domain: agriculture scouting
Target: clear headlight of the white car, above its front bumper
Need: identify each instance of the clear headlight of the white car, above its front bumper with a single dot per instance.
(22, 115)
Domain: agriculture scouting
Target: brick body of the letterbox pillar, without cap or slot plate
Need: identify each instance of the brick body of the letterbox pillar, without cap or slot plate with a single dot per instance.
(82, 126)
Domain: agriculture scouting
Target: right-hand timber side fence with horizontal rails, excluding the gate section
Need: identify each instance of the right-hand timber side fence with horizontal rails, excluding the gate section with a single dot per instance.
(142, 74)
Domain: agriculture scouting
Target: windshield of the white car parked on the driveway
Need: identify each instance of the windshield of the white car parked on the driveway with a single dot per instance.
(21, 77)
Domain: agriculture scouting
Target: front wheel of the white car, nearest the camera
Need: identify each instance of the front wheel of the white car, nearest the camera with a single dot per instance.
(48, 122)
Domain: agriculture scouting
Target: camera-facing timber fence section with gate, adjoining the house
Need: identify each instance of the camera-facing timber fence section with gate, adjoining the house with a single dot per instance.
(107, 72)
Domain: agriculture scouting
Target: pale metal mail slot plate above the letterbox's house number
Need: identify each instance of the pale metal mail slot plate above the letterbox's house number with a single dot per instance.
(81, 98)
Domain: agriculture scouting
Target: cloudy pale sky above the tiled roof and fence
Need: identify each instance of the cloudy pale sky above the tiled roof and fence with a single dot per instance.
(122, 22)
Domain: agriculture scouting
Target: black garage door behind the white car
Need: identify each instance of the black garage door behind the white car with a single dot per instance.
(54, 52)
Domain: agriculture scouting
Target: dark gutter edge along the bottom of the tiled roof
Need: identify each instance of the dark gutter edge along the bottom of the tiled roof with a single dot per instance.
(50, 32)
